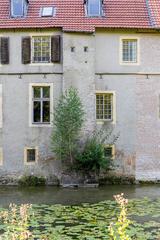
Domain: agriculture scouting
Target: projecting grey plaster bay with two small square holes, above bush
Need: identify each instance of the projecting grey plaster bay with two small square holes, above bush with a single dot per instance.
(79, 71)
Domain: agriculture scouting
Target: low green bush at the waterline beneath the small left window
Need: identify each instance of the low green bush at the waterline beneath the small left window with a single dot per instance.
(32, 181)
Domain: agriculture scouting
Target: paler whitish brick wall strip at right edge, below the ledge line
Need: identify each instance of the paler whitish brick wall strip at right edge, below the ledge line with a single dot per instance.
(148, 128)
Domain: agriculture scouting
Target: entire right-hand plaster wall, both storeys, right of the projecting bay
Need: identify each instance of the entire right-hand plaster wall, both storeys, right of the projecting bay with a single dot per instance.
(137, 98)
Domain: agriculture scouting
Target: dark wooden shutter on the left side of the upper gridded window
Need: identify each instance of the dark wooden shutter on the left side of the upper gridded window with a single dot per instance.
(26, 50)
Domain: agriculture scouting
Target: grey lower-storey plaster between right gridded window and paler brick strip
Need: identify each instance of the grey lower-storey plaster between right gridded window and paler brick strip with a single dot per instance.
(125, 90)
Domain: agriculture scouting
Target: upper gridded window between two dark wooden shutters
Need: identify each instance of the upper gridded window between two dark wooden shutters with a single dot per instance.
(41, 49)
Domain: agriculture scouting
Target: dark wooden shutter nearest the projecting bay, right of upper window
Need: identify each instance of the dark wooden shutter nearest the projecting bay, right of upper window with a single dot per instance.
(56, 49)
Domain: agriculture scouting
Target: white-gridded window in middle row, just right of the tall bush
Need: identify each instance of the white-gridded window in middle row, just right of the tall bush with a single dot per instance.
(104, 106)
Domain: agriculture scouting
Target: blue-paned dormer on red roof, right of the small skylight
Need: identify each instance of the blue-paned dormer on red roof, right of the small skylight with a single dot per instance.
(94, 8)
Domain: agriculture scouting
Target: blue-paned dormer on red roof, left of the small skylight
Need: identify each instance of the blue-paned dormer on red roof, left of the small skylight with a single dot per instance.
(18, 8)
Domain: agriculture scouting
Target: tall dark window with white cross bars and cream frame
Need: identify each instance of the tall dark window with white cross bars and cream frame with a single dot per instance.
(41, 104)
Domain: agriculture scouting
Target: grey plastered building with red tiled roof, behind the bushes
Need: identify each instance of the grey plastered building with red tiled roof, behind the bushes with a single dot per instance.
(111, 59)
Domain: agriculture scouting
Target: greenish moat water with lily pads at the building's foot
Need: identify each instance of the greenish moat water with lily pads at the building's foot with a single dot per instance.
(85, 214)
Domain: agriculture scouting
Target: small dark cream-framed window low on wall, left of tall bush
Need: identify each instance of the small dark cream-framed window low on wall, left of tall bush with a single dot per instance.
(30, 155)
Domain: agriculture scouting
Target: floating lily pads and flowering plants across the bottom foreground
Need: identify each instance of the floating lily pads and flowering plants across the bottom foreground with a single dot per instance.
(83, 222)
